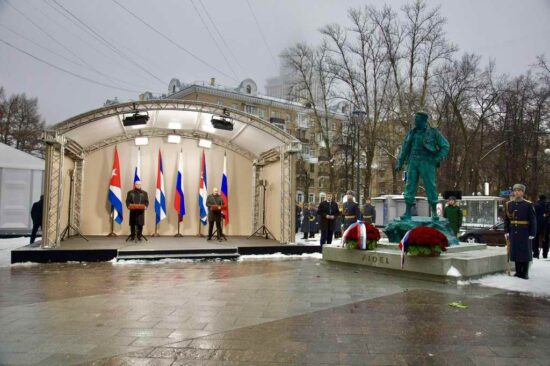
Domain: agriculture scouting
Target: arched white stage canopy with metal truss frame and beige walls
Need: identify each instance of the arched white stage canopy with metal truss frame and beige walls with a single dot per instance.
(79, 159)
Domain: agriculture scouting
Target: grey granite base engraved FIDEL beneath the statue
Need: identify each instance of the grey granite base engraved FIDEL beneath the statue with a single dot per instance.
(460, 262)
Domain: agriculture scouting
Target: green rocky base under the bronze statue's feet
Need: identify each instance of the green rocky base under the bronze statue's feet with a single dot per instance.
(397, 228)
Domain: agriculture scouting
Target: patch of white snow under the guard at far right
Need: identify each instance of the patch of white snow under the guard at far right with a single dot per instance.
(538, 283)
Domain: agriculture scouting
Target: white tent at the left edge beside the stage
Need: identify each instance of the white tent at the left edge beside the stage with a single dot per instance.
(21, 178)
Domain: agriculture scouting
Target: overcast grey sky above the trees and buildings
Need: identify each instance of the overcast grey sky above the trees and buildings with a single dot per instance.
(511, 32)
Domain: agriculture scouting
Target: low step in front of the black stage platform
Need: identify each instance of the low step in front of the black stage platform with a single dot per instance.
(190, 254)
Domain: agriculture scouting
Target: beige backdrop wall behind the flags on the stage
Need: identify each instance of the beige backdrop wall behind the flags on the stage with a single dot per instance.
(97, 172)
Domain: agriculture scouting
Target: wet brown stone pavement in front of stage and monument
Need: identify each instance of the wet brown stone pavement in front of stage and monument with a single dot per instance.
(259, 312)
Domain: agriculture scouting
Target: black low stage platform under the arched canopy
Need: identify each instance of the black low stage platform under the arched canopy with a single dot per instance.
(101, 248)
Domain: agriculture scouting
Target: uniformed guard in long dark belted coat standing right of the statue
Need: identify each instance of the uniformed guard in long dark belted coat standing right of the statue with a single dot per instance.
(520, 227)
